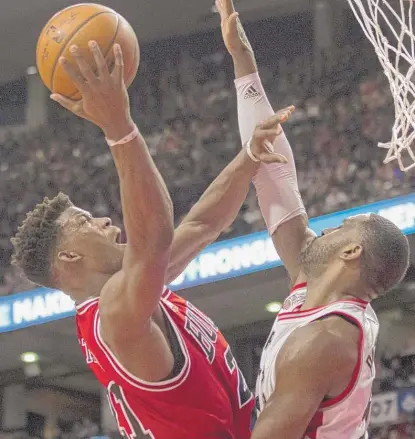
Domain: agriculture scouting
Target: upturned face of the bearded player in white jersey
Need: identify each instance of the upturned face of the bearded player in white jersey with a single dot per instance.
(322, 250)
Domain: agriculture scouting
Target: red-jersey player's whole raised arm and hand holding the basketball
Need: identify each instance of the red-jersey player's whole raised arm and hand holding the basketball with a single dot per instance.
(147, 210)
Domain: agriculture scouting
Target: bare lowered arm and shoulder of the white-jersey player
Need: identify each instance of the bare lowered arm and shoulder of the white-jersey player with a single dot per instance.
(316, 362)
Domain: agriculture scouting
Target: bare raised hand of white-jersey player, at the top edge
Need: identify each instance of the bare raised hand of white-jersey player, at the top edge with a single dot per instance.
(232, 31)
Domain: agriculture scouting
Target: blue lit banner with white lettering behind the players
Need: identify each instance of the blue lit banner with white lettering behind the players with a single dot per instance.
(222, 260)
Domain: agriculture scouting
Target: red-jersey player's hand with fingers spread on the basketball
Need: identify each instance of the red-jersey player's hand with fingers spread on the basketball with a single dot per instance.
(105, 99)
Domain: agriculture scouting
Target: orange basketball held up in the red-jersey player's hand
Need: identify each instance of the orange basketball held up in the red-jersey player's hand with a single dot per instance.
(77, 25)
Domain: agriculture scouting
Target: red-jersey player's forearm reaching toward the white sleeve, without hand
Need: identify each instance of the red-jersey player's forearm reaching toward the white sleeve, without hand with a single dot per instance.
(220, 204)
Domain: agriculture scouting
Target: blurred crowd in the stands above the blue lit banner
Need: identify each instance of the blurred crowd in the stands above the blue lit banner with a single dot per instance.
(184, 103)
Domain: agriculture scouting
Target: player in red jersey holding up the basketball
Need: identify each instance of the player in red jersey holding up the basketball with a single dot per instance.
(169, 372)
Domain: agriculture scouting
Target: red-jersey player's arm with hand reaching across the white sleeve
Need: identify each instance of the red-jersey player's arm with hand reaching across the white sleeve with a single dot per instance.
(219, 205)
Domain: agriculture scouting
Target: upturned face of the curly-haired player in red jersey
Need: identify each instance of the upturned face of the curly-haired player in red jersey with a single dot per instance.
(94, 242)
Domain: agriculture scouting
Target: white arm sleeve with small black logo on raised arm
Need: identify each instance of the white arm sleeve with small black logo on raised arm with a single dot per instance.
(276, 184)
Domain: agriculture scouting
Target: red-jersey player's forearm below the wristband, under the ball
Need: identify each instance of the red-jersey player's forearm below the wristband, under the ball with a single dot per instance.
(146, 204)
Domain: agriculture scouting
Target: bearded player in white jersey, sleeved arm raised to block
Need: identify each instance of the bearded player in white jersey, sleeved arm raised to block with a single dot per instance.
(317, 365)
